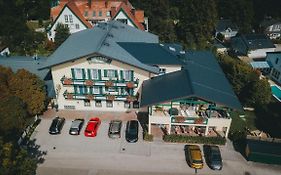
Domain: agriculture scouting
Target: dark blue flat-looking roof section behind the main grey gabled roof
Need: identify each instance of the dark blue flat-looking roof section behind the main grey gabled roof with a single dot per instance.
(151, 53)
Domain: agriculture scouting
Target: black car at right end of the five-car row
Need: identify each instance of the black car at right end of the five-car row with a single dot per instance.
(132, 130)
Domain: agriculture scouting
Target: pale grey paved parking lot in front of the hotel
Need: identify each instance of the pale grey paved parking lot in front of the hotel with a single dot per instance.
(67, 154)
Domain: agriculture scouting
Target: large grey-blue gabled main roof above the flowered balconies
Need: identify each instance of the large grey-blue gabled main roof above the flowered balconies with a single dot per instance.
(102, 39)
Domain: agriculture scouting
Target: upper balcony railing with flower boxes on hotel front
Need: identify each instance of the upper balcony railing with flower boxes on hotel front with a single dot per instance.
(102, 82)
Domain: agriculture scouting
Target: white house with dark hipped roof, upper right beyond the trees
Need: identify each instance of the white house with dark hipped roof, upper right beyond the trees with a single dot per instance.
(252, 45)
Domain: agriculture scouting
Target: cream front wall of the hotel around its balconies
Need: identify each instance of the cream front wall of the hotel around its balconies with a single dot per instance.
(65, 70)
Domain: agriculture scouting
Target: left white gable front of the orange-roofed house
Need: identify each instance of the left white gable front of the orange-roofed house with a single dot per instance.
(67, 17)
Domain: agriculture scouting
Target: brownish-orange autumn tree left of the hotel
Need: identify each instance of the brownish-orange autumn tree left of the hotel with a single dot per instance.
(30, 89)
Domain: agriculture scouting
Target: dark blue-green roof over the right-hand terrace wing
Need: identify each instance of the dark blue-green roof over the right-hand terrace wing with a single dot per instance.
(201, 78)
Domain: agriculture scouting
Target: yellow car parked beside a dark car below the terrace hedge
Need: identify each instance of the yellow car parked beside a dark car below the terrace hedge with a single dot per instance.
(194, 156)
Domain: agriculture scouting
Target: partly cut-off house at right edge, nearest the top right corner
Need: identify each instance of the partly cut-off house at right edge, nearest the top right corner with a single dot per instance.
(272, 28)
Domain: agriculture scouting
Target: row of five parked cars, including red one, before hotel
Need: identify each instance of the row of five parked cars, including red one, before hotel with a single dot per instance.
(93, 124)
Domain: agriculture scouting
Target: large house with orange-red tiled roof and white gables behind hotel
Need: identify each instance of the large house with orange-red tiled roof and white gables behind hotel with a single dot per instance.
(82, 14)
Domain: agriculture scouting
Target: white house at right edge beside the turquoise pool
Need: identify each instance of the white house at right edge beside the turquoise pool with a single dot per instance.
(274, 60)
